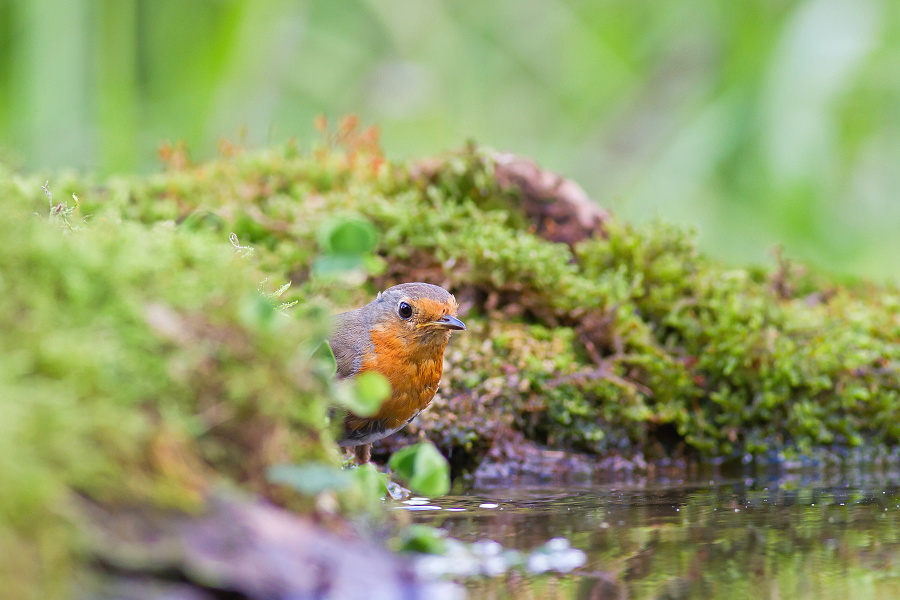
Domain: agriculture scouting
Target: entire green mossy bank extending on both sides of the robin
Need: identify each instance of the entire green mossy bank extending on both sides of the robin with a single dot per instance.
(144, 363)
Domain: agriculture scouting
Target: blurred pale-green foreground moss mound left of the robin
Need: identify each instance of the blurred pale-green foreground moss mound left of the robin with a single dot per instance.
(139, 365)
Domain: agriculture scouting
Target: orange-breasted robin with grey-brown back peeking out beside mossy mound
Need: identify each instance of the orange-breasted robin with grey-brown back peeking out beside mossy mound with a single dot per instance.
(401, 334)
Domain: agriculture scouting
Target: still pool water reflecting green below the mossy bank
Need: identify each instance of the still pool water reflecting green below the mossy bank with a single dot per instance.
(778, 538)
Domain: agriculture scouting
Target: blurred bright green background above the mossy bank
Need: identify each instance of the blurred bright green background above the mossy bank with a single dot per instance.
(758, 121)
